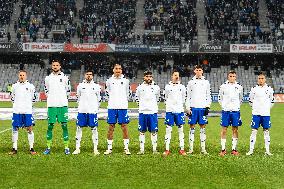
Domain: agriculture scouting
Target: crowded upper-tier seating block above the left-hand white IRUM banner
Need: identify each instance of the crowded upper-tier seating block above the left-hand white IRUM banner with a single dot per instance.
(39, 18)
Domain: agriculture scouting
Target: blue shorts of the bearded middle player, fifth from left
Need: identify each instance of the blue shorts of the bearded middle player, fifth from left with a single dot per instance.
(148, 122)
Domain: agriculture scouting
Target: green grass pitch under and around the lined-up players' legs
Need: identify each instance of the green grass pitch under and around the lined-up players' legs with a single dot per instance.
(148, 171)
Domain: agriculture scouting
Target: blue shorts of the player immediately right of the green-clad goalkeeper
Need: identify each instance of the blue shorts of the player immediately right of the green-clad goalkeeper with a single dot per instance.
(85, 119)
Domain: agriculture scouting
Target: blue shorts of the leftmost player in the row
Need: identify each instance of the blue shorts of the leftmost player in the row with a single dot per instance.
(22, 120)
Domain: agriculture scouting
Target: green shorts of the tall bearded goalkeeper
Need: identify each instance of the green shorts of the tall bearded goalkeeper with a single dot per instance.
(57, 113)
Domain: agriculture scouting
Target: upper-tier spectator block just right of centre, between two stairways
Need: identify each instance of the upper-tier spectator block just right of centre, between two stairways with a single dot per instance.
(169, 22)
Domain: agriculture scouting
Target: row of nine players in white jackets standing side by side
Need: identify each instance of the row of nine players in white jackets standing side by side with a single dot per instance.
(196, 97)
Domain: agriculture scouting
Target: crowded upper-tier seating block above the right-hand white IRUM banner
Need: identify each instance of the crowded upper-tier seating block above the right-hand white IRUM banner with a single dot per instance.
(235, 22)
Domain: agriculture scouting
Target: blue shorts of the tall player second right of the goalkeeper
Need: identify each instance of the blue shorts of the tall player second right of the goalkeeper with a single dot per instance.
(119, 116)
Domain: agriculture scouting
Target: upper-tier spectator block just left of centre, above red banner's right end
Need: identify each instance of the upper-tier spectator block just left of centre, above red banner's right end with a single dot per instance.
(109, 21)
